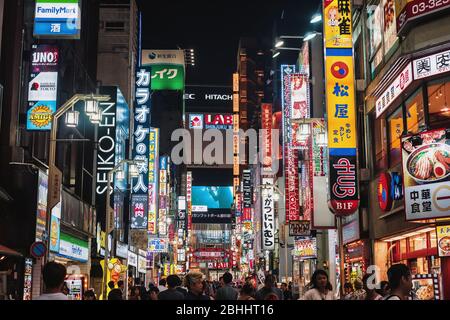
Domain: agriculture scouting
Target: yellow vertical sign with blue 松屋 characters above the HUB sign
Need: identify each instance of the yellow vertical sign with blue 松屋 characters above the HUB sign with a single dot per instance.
(340, 95)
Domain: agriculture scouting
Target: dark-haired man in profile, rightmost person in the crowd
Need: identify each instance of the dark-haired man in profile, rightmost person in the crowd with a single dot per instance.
(400, 282)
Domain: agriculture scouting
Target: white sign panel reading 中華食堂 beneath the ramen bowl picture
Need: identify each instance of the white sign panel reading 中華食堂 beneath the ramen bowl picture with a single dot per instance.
(427, 201)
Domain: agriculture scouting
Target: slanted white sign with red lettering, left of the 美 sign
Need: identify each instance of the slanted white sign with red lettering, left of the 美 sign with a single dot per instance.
(403, 80)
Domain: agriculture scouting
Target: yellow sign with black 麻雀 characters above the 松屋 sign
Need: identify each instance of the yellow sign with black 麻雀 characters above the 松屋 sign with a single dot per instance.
(338, 23)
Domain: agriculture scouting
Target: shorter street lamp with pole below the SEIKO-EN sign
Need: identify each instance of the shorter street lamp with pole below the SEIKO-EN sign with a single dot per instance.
(134, 172)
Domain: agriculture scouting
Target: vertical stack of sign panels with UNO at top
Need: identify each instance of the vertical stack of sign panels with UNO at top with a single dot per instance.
(43, 87)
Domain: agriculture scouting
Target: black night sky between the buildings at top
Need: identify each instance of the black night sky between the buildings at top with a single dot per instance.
(213, 29)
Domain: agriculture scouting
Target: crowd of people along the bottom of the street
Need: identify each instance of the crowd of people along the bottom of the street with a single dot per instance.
(194, 287)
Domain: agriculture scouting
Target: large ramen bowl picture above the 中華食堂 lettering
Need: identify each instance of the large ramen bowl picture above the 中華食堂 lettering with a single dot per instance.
(429, 163)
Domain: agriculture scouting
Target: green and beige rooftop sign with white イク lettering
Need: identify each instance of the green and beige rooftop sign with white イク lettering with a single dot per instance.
(167, 68)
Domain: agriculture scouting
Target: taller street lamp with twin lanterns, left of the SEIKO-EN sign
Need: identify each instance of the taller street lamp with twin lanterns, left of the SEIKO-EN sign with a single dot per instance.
(54, 174)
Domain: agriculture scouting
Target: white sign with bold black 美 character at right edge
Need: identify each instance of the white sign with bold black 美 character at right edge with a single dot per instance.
(431, 65)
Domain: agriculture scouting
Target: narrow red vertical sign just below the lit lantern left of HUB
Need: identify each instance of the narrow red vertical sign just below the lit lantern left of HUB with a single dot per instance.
(292, 185)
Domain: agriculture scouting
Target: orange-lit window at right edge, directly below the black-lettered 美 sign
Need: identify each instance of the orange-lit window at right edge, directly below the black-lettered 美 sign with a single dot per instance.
(438, 104)
